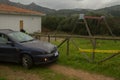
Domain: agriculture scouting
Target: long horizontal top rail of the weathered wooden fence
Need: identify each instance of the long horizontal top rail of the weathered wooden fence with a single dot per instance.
(38, 36)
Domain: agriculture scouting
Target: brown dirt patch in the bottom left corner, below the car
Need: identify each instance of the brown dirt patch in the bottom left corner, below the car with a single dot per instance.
(14, 75)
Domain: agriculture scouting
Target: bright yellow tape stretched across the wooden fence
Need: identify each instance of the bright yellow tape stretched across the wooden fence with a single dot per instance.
(99, 51)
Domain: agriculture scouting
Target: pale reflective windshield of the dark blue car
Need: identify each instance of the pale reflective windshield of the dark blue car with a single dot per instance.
(21, 37)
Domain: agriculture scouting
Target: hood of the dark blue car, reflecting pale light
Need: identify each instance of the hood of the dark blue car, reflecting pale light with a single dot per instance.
(40, 45)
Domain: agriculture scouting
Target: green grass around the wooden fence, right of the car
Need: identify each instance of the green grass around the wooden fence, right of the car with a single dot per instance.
(77, 60)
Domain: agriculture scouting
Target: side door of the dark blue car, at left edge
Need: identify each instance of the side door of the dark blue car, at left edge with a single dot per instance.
(8, 52)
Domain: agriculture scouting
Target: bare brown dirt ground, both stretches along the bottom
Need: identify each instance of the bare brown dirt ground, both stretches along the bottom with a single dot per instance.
(67, 71)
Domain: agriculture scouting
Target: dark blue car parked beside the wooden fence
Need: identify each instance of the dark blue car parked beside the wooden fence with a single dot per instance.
(19, 47)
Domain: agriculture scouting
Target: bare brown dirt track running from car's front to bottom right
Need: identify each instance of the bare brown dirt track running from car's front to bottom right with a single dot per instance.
(82, 75)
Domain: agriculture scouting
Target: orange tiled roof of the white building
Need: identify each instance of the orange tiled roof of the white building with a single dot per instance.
(7, 9)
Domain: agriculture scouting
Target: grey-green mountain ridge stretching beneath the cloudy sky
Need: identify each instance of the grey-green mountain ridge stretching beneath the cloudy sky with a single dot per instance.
(113, 10)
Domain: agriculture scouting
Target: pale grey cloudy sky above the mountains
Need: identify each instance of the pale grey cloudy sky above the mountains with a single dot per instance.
(70, 4)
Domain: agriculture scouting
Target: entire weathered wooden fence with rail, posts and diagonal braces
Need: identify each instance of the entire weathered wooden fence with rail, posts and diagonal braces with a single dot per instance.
(66, 38)
